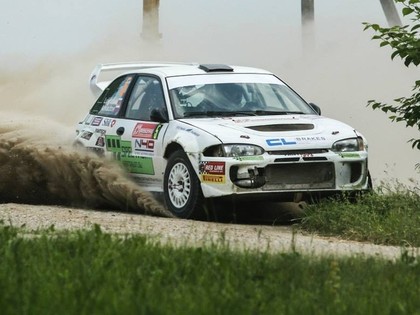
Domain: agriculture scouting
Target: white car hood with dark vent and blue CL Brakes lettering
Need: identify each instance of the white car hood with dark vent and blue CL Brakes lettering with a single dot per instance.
(276, 131)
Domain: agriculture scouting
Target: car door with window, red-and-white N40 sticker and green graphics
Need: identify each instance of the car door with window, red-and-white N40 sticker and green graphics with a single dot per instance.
(134, 139)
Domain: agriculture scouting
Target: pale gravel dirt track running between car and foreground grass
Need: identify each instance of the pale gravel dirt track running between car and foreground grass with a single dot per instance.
(187, 232)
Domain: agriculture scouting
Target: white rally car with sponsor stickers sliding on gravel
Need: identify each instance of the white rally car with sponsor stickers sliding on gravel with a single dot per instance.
(194, 132)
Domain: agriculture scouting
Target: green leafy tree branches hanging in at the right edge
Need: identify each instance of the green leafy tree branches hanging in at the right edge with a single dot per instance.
(405, 43)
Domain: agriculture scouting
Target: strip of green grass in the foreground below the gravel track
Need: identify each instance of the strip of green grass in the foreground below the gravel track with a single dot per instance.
(91, 272)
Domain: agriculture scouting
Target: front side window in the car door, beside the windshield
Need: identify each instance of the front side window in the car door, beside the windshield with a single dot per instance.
(147, 95)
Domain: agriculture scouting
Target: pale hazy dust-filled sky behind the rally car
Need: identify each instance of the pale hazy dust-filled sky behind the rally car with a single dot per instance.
(49, 48)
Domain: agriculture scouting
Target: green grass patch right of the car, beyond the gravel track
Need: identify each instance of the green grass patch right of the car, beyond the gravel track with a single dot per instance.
(391, 216)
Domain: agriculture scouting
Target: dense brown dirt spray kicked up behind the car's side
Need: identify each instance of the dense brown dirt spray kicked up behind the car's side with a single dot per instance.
(38, 165)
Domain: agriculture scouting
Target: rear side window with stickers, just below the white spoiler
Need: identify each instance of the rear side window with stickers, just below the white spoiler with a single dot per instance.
(110, 101)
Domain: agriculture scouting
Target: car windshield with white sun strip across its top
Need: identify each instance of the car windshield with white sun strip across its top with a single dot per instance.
(233, 94)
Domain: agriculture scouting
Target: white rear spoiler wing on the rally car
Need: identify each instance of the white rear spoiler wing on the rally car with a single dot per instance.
(97, 86)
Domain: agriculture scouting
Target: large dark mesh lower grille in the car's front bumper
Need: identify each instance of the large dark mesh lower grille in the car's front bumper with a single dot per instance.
(299, 176)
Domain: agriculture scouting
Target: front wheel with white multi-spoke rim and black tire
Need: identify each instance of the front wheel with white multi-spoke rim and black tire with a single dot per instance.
(182, 192)
